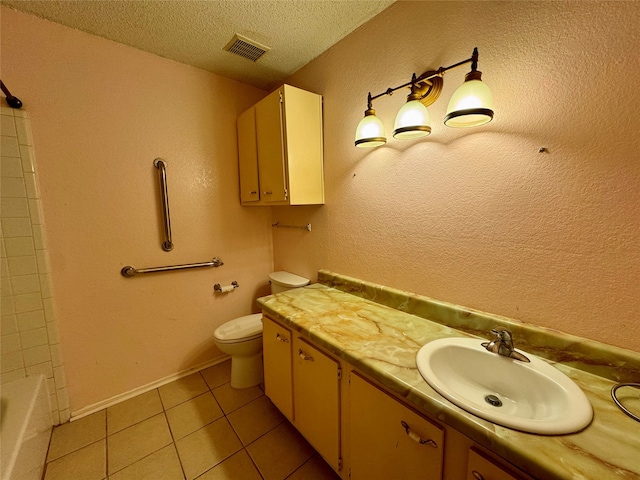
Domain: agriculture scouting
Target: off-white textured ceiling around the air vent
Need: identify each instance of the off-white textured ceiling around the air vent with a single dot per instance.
(195, 32)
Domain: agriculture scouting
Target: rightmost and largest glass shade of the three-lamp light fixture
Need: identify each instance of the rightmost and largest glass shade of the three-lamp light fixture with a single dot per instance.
(471, 104)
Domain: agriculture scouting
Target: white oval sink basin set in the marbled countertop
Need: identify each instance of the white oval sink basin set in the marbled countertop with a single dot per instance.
(534, 397)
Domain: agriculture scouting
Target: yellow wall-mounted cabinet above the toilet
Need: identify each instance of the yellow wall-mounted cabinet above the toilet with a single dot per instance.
(280, 151)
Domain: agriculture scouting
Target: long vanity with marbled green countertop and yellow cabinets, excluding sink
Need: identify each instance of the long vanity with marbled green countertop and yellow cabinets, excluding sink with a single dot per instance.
(340, 365)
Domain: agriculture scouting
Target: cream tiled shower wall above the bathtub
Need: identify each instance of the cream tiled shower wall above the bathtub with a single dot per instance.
(29, 329)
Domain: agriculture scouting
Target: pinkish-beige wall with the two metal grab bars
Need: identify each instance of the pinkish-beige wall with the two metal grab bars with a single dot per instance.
(101, 113)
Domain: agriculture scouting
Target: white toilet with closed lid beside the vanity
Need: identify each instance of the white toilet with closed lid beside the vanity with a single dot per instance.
(242, 337)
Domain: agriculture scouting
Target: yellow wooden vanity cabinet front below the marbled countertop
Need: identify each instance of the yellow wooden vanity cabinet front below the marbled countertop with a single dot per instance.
(352, 418)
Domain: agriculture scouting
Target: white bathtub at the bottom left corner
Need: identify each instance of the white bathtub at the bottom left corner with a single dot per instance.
(25, 428)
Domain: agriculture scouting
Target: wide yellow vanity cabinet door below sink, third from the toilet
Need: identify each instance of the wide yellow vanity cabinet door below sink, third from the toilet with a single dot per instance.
(385, 437)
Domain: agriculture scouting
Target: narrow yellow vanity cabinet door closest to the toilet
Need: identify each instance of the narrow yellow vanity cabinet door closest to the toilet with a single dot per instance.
(276, 342)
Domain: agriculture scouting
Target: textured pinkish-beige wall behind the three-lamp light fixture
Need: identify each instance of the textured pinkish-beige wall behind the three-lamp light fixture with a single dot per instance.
(479, 217)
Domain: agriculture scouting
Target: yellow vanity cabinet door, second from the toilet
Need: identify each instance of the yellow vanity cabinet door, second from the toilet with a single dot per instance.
(316, 393)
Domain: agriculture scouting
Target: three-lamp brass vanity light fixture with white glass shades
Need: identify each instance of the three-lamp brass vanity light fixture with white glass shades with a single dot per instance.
(471, 105)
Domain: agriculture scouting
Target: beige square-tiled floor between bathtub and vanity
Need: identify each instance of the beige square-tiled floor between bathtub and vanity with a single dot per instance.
(197, 427)
